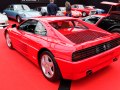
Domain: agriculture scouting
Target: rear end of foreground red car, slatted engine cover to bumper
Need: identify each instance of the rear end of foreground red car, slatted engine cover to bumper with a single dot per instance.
(94, 51)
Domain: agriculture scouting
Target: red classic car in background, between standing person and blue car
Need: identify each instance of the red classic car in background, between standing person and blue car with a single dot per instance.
(85, 11)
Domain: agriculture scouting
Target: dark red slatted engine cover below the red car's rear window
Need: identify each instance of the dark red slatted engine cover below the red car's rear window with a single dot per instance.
(80, 37)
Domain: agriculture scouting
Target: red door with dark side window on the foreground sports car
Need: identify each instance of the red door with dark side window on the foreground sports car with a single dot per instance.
(25, 30)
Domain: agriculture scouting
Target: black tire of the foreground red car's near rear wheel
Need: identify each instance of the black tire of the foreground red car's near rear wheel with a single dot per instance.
(56, 75)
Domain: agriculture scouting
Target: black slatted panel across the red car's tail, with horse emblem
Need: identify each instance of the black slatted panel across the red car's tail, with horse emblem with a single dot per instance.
(94, 50)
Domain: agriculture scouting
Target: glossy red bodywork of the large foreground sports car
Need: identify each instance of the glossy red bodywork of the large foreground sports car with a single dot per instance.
(67, 44)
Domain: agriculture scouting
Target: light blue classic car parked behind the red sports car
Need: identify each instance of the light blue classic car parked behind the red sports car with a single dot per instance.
(20, 12)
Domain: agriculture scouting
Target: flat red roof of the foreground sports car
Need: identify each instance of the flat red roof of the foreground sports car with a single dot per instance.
(53, 18)
